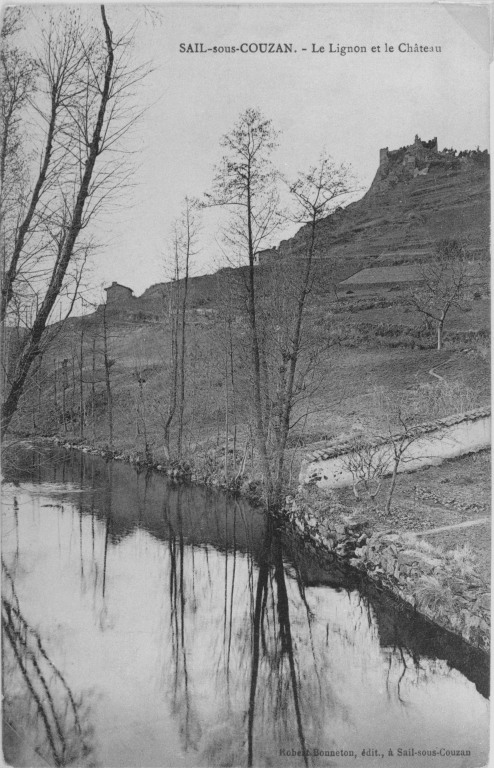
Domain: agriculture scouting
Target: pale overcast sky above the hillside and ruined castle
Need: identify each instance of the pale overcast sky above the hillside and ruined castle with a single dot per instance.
(352, 105)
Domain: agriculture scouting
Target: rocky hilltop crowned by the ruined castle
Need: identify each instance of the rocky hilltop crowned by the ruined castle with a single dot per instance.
(419, 195)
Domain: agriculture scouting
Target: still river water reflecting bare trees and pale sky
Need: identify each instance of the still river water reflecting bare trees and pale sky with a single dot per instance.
(146, 624)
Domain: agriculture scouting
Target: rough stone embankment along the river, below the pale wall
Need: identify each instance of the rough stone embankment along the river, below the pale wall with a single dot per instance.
(442, 586)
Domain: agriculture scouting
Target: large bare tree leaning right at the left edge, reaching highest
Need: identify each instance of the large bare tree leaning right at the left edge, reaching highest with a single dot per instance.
(84, 79)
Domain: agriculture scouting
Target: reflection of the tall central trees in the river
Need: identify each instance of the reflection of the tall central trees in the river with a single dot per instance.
(261, 696)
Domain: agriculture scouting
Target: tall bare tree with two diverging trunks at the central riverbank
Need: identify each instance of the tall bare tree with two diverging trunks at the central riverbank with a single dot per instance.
(282, 359)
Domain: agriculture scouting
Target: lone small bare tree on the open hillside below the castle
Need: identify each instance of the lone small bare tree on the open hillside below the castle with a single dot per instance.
(444, 279)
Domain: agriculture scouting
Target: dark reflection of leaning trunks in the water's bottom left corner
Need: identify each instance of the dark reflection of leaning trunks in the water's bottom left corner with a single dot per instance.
(37, 698)
